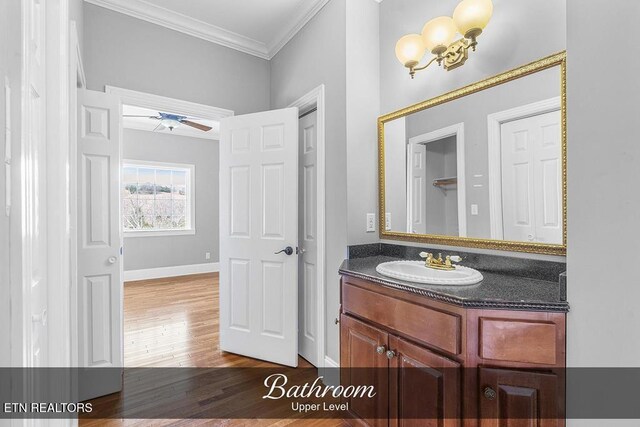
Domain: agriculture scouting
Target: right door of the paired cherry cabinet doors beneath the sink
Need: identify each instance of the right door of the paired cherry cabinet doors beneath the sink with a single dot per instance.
(424, 388)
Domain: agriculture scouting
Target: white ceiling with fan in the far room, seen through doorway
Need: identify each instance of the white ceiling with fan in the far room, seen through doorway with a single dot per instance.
(147, 124)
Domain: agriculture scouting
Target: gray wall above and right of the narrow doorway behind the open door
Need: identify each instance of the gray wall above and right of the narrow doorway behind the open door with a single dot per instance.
(316, 55)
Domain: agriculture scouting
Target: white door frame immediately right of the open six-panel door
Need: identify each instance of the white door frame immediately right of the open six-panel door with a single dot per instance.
(316, 98)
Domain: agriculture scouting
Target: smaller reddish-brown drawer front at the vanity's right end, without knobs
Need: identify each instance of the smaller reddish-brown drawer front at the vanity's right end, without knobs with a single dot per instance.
(522, 341)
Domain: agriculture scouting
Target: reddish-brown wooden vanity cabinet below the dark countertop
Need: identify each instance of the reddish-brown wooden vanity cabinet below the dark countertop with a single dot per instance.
(436, 364)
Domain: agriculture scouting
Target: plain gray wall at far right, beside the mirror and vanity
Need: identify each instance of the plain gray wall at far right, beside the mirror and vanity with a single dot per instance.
(603, 155)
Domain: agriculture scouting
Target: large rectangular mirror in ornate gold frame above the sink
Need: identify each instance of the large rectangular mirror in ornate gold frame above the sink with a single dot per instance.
(483, 166)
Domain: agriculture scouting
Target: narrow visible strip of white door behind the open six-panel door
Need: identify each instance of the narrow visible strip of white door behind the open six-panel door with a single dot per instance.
(308, 235)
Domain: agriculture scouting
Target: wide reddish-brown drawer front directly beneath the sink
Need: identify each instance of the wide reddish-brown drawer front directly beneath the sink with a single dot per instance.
(433, 327)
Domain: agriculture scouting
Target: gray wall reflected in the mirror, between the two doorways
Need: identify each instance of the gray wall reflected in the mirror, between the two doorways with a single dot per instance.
(472, 110)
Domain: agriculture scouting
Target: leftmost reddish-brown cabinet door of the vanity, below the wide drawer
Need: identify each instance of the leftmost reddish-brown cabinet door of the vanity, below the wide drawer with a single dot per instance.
(363, 362)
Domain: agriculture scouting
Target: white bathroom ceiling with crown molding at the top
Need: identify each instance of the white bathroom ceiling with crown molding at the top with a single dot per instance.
(257, 27)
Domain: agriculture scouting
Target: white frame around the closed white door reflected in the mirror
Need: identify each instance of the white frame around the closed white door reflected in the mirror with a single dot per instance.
(494, 122)
